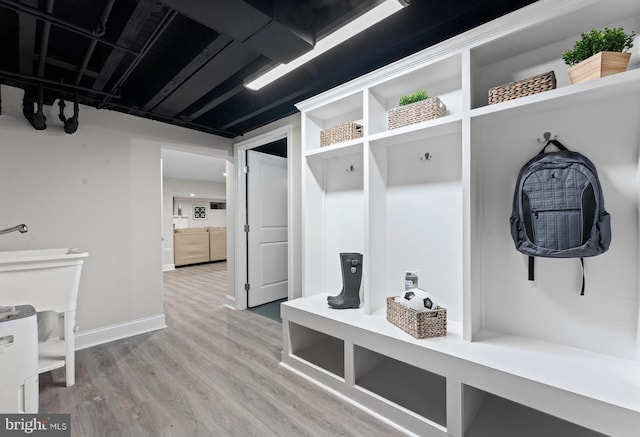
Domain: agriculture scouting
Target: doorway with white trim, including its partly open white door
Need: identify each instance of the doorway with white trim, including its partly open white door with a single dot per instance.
(262, 256)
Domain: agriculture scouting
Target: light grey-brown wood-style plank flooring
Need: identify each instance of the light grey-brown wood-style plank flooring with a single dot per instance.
(212, 372)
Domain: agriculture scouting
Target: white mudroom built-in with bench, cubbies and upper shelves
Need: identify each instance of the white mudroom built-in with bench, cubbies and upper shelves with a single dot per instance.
(520, 357)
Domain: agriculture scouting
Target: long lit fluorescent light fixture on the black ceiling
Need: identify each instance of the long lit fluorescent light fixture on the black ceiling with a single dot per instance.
(364, 21)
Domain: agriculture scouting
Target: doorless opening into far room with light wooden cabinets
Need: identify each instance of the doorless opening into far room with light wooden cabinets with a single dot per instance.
(194, 216)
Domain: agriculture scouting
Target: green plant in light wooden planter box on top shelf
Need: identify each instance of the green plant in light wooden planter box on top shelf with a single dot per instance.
(599, 53)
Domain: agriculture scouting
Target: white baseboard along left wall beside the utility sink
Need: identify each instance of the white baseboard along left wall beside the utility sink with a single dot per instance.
(107, 334)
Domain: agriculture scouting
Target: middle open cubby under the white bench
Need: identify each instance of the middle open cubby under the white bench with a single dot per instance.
(410, 387)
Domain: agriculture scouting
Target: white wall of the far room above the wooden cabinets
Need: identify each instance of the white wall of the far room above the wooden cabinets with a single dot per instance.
(182, 188)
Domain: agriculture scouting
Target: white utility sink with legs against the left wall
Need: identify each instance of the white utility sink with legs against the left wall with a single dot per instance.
(48, 279)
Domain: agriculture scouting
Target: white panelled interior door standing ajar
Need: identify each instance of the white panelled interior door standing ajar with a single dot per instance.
(267, 237)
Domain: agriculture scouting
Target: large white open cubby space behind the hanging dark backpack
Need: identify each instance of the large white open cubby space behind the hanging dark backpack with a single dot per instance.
(551, 308)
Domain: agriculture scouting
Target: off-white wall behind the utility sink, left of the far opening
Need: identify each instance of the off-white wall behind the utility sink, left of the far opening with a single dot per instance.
(98, 190)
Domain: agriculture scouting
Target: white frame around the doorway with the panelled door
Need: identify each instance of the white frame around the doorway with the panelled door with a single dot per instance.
(240, 237)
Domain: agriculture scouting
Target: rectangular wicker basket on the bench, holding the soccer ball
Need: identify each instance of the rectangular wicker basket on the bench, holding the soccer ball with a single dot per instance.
(419, 324)
